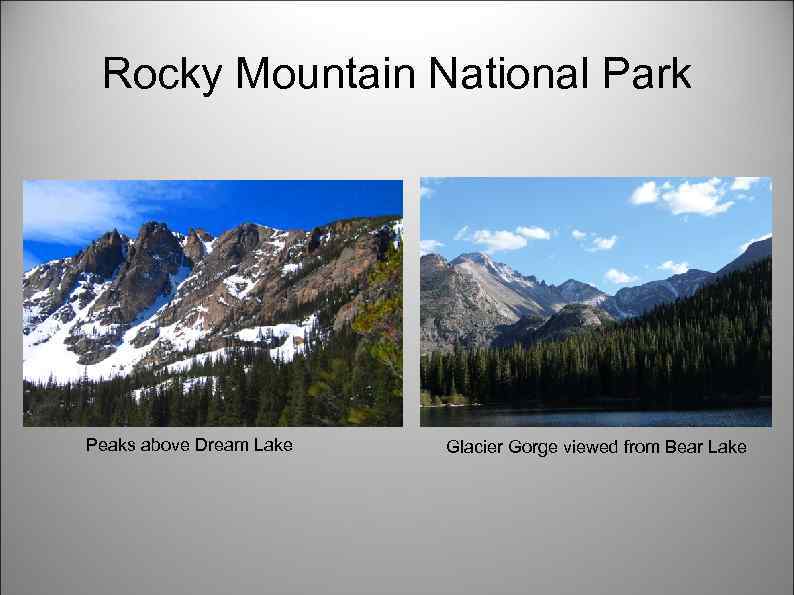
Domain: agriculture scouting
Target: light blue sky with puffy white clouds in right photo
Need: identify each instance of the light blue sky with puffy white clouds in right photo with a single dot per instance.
(610, 232)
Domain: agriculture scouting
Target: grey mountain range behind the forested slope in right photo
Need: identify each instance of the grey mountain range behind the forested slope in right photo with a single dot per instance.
(475, 301)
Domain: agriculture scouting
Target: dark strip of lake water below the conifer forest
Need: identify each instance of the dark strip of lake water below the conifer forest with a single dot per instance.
(760, 416)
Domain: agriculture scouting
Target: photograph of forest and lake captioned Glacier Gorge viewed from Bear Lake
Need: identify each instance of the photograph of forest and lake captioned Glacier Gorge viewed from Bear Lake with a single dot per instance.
(596, 302)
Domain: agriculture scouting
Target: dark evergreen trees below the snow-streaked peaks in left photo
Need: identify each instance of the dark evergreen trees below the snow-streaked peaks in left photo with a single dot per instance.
(335, 384)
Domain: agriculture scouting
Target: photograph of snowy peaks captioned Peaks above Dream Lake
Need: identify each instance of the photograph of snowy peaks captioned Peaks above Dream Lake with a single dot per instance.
(212, 303)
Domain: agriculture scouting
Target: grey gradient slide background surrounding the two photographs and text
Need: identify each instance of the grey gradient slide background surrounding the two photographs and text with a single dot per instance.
(385, 510)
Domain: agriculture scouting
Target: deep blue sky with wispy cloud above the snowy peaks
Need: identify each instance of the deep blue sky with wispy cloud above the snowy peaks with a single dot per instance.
(61, 217)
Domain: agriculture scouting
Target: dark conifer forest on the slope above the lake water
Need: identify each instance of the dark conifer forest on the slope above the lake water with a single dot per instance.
(716, 344)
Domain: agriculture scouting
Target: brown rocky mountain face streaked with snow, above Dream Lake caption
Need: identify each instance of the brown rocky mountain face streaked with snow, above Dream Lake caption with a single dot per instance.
(123, 303)
